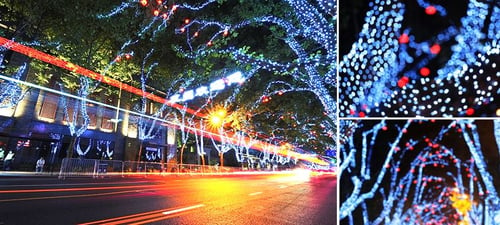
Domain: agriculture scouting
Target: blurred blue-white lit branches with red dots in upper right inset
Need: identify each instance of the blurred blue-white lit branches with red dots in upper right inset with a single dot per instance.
(388, 73)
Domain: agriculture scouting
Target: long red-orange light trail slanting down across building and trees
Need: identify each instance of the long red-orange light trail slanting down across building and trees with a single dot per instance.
(33, 53)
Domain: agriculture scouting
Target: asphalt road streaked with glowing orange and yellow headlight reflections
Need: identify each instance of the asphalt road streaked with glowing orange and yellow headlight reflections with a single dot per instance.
(235, 199)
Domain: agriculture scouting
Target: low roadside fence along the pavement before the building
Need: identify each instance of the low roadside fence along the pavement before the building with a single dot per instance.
(71, 167)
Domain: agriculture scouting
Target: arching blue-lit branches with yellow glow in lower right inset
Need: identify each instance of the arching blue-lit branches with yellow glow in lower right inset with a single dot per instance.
(426, 177)
